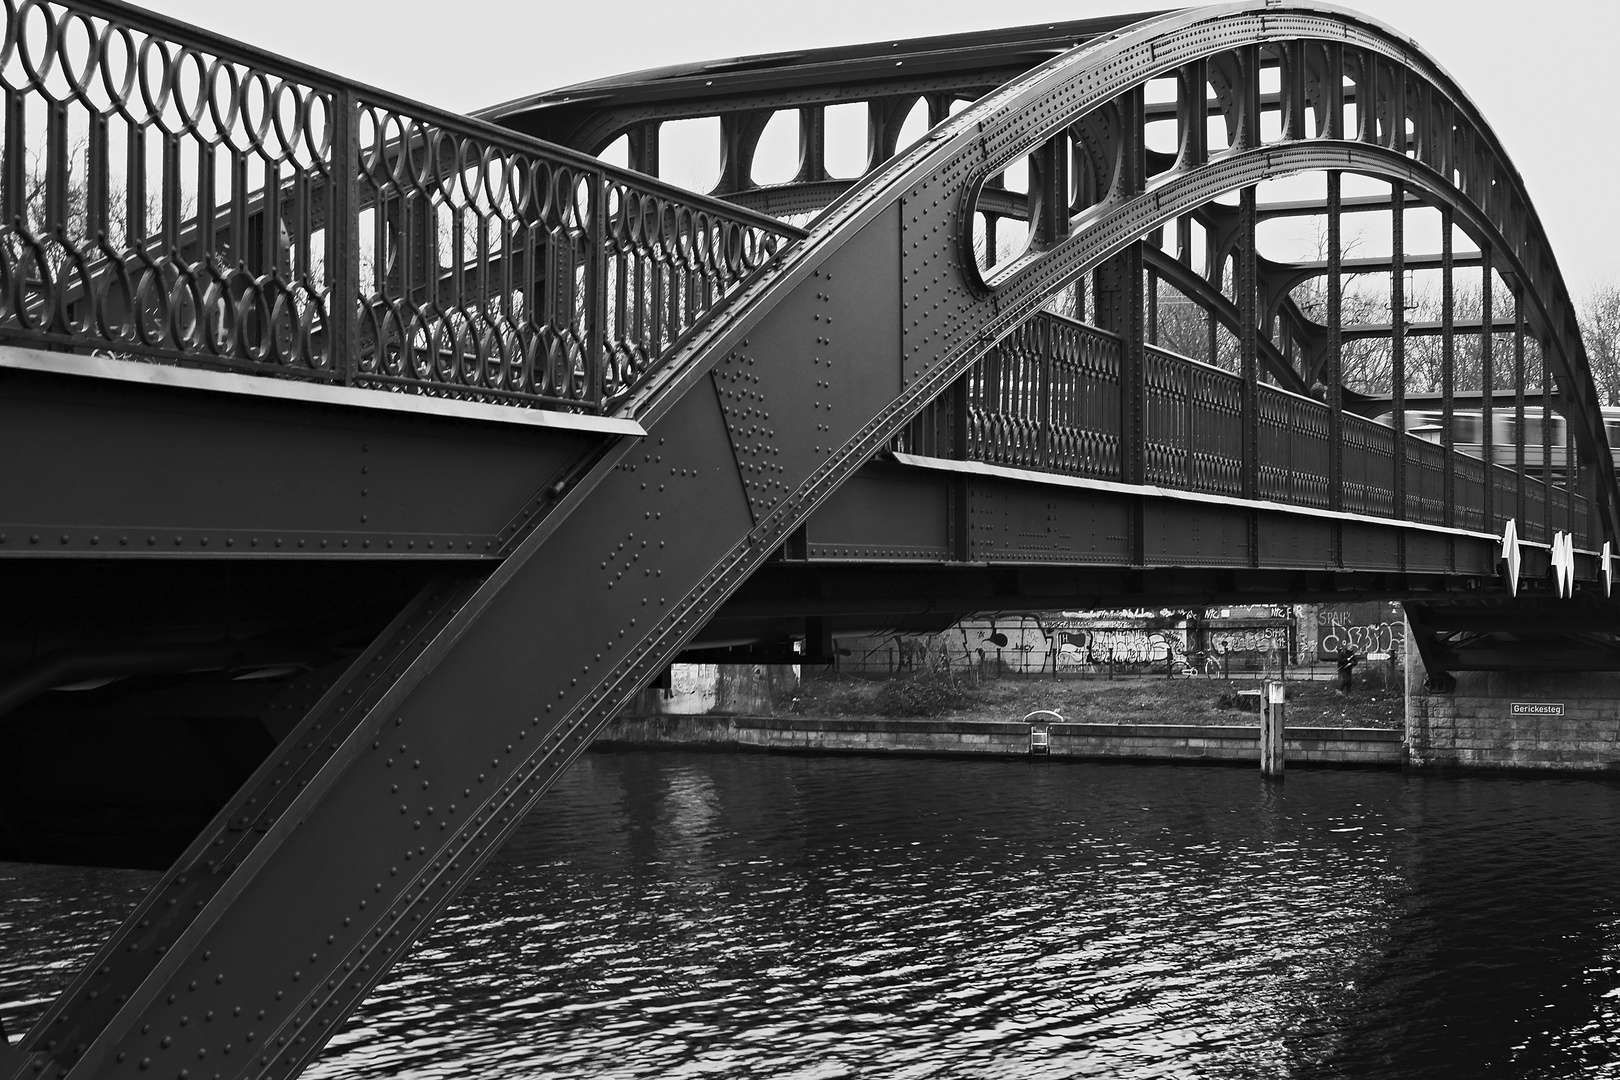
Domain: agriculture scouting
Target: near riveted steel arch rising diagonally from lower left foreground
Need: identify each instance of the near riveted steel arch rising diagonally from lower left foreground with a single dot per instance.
(879, 260)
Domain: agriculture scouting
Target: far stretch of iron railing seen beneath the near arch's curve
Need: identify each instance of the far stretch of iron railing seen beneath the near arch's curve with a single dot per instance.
(1049, 399)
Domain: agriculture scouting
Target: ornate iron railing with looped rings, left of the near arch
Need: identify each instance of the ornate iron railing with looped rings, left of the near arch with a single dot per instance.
(173, 197)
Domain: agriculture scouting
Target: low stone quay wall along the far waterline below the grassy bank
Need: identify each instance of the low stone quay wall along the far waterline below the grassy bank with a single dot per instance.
(1156, 742)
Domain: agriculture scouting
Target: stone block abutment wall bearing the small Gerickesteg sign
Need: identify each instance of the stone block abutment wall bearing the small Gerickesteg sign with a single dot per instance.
(1516, 721)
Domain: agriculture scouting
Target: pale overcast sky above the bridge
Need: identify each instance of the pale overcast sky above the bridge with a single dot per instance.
(1540, 72)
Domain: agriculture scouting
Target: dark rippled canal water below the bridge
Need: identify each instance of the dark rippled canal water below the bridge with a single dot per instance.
(749, 916)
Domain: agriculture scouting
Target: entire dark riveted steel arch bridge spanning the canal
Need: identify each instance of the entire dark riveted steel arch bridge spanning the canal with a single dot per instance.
(365, 459)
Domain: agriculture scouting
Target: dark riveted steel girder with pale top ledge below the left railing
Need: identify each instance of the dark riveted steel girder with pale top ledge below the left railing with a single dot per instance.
(134, 461)
